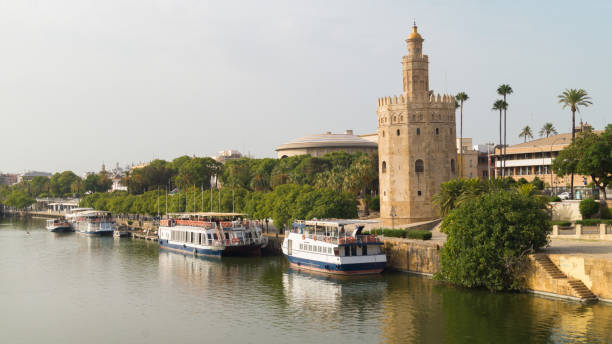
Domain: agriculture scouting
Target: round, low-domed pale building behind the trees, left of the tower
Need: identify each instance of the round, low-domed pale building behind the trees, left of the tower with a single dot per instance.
(321, 144)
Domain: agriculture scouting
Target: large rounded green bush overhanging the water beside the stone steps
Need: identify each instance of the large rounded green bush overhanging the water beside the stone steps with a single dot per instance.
(489, 237)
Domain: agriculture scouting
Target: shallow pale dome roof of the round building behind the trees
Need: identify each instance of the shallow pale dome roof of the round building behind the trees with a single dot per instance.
(328, 140)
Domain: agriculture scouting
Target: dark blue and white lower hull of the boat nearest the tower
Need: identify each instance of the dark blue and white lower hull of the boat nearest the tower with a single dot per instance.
(343, 269)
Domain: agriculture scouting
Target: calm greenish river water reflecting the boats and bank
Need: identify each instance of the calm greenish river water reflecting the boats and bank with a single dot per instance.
(68, 288)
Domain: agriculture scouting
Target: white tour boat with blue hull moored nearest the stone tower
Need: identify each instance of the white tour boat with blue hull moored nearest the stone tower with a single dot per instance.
(334, 247)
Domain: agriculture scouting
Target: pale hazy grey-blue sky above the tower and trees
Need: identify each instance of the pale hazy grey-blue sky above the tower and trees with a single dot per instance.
(126, 81)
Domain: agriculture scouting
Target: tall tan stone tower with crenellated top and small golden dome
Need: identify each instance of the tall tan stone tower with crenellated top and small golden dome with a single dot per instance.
(416, 143)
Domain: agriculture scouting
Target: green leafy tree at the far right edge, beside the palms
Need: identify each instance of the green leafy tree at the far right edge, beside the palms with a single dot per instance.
(590, 154)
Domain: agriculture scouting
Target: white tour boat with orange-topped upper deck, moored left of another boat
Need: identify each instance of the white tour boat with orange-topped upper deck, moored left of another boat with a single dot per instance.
(211, 234)
